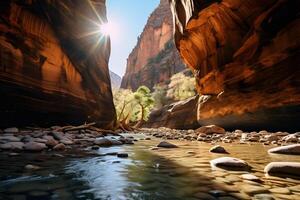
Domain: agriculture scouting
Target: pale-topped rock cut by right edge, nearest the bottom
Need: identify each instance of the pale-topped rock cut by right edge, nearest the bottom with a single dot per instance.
(283, 169)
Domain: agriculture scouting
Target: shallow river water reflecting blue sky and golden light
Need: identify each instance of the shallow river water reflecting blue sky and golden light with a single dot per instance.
(181, 173)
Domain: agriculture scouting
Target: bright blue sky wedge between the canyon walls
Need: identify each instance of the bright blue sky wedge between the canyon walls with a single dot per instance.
(128, 17)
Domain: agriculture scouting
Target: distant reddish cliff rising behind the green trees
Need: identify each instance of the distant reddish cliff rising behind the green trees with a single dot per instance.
(155, 58)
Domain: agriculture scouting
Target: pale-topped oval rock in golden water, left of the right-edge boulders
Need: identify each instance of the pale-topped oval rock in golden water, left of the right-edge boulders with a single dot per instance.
(230, 163)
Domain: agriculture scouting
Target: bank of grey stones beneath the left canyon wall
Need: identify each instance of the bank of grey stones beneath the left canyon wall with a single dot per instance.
(58, 138)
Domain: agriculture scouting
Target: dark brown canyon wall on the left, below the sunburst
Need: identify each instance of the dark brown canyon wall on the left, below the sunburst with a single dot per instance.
(51, 71)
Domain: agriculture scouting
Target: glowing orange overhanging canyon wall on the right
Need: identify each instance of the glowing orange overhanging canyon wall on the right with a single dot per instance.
(245, 57)
